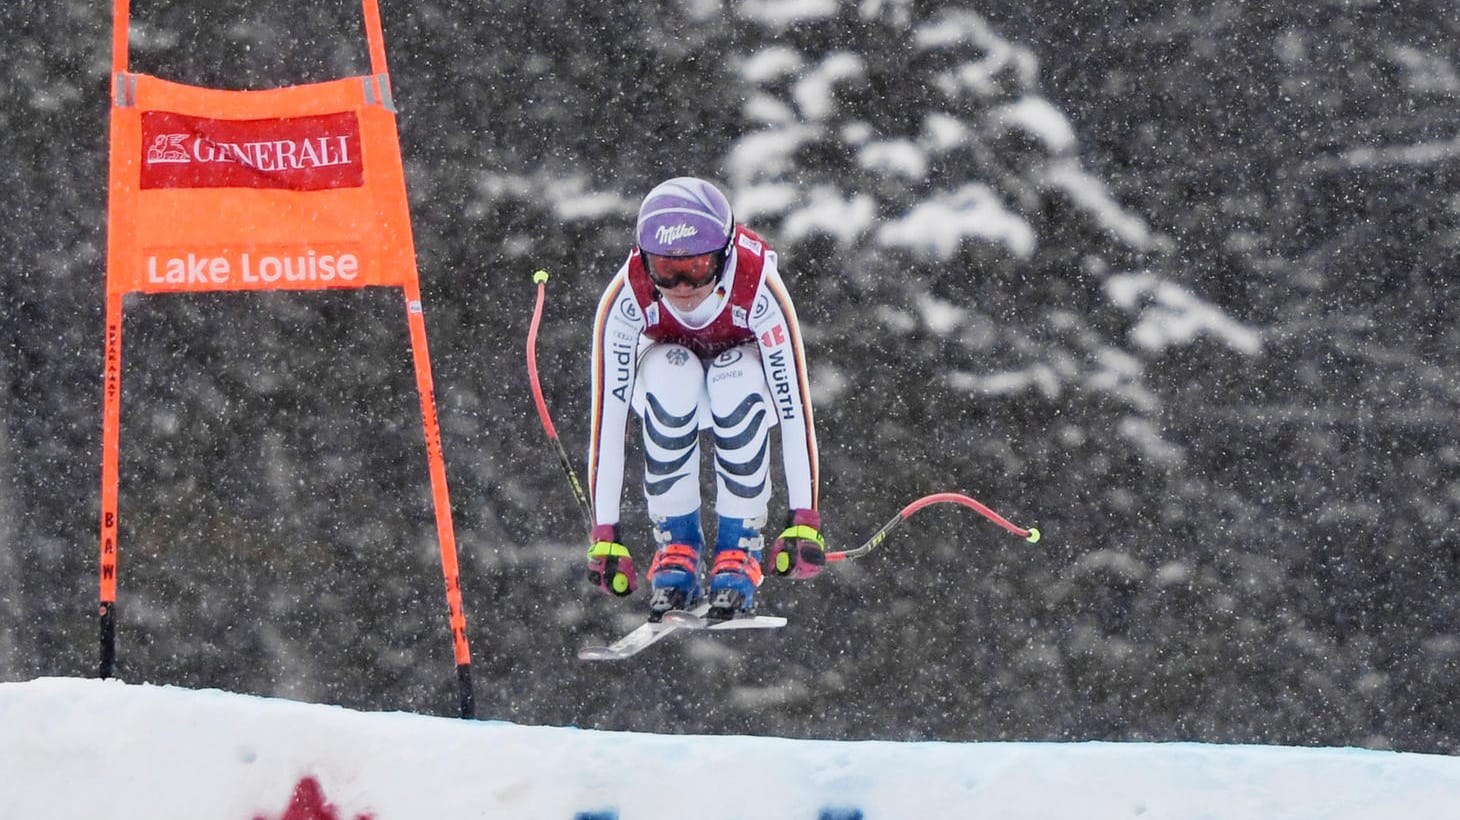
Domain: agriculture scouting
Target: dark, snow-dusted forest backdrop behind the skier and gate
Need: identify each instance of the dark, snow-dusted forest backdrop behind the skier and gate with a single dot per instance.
(1230, 403)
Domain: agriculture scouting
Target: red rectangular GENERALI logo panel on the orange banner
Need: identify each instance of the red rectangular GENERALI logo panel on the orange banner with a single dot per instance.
(301, 154)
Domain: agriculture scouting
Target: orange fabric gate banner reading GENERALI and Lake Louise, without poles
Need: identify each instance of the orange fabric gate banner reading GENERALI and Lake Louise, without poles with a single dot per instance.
(287, 189)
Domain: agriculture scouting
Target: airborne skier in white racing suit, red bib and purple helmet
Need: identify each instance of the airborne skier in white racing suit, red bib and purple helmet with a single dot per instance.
(697, 332)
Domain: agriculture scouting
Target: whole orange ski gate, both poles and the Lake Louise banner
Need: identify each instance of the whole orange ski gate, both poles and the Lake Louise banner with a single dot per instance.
(290, 189)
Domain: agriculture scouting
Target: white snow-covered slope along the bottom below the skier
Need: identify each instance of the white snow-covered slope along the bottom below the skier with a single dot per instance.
(87, 749)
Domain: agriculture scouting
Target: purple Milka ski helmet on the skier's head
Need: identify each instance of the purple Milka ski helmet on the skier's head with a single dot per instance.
(684, 218)
